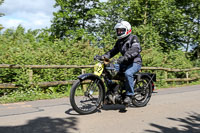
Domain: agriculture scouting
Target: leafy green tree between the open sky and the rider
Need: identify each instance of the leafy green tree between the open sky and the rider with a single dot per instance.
(74, 18)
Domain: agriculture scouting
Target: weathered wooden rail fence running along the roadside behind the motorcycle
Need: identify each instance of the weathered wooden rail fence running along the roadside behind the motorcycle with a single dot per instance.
(56, 83)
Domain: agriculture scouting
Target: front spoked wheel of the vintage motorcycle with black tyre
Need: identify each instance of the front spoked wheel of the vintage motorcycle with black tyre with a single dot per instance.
(86, 96)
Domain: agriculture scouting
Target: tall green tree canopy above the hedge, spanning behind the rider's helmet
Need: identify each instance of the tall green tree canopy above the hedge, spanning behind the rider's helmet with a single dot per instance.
(170, 25)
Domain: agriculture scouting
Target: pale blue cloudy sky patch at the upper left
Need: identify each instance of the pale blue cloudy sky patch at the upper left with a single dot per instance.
(31, 14)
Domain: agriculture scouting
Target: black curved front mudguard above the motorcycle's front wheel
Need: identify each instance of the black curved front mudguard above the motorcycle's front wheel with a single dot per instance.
(93, 76)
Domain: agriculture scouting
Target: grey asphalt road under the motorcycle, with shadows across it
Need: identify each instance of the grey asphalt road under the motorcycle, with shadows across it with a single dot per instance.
(173, 110)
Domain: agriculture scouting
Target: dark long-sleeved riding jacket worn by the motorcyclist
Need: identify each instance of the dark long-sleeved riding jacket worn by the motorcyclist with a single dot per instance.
(130, 49)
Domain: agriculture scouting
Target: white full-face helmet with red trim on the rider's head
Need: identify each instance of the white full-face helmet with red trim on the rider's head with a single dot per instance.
(125, 27)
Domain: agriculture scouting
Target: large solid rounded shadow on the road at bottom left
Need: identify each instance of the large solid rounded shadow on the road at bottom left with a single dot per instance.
(44, 125)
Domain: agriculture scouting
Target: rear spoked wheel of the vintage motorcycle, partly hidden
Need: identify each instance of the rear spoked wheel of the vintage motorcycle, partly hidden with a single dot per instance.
(143, 91)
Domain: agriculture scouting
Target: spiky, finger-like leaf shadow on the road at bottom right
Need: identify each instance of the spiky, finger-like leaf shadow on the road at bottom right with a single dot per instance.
(190, 124)
